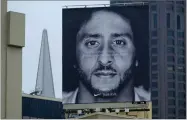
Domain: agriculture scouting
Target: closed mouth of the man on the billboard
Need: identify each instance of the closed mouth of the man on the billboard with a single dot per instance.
(105, 73)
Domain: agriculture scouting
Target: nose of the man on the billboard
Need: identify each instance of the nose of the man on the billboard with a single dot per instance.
(105, 57)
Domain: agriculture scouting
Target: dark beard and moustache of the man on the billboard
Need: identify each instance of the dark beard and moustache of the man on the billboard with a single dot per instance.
(127, 76)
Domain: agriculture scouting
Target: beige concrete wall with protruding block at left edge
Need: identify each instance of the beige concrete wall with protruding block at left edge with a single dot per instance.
(12, 41)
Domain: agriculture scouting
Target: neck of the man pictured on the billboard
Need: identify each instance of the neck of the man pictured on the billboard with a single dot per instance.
(126, 94)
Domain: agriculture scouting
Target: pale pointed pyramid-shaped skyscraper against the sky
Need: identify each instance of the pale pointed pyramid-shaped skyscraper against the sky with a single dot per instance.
(44, 82)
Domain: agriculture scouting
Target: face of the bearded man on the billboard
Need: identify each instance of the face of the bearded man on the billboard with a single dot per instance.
(105, 51)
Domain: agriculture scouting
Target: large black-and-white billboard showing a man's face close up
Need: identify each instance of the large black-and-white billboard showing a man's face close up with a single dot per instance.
(105, 55)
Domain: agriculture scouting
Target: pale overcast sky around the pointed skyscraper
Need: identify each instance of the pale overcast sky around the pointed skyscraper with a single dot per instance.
(40, 15)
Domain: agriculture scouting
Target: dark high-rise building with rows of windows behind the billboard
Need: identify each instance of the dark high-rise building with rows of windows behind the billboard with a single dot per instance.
(167, 56)
